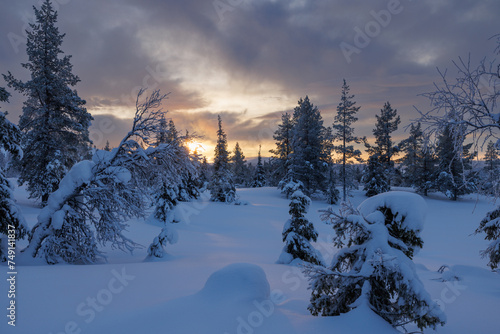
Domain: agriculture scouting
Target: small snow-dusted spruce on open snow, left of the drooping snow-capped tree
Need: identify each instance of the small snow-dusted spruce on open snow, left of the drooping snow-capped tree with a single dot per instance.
(298, 232)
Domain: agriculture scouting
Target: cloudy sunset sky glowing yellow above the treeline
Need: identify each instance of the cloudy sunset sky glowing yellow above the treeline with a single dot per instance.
(251, 60)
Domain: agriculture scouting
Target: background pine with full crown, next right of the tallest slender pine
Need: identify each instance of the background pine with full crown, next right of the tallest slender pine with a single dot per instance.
(387, 123)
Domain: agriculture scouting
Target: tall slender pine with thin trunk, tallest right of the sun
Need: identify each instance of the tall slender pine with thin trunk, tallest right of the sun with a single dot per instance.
(344, 135)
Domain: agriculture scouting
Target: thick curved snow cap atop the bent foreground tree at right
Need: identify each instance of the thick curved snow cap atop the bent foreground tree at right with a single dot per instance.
(407, 204)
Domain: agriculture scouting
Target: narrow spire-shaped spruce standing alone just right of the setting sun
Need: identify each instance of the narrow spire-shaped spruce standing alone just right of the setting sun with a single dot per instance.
(221, 185)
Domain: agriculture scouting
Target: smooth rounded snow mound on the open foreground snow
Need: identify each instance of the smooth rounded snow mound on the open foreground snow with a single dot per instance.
(238, 281)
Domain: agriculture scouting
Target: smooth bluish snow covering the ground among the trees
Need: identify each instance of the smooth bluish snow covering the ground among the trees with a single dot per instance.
(222, 277)
